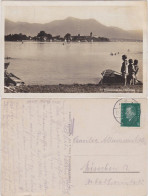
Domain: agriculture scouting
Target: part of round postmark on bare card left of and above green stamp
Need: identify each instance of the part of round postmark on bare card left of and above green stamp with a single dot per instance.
(117, 108)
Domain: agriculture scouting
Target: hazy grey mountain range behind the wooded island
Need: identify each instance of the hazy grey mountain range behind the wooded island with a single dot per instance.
(73, 26)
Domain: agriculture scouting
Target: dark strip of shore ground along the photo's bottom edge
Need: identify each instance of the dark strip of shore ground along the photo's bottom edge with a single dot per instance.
(74, 88)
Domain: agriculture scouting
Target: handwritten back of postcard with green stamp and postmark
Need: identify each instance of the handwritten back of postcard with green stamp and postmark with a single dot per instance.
(69, 147)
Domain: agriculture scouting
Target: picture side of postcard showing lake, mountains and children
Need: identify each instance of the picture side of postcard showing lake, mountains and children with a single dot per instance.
(74, 49)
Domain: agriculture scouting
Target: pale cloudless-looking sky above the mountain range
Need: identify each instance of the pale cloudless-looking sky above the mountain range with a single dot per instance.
(128, 18)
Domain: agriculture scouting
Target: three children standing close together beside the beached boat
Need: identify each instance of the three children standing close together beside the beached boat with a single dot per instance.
(129, 70)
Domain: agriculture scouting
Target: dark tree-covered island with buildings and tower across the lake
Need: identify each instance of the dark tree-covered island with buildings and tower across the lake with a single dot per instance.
(42, 36)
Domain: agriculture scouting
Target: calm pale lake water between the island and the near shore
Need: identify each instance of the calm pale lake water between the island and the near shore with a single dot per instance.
(55, 63)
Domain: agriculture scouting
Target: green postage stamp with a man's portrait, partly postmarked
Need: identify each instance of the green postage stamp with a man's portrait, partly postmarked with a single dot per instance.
(130, 114)
